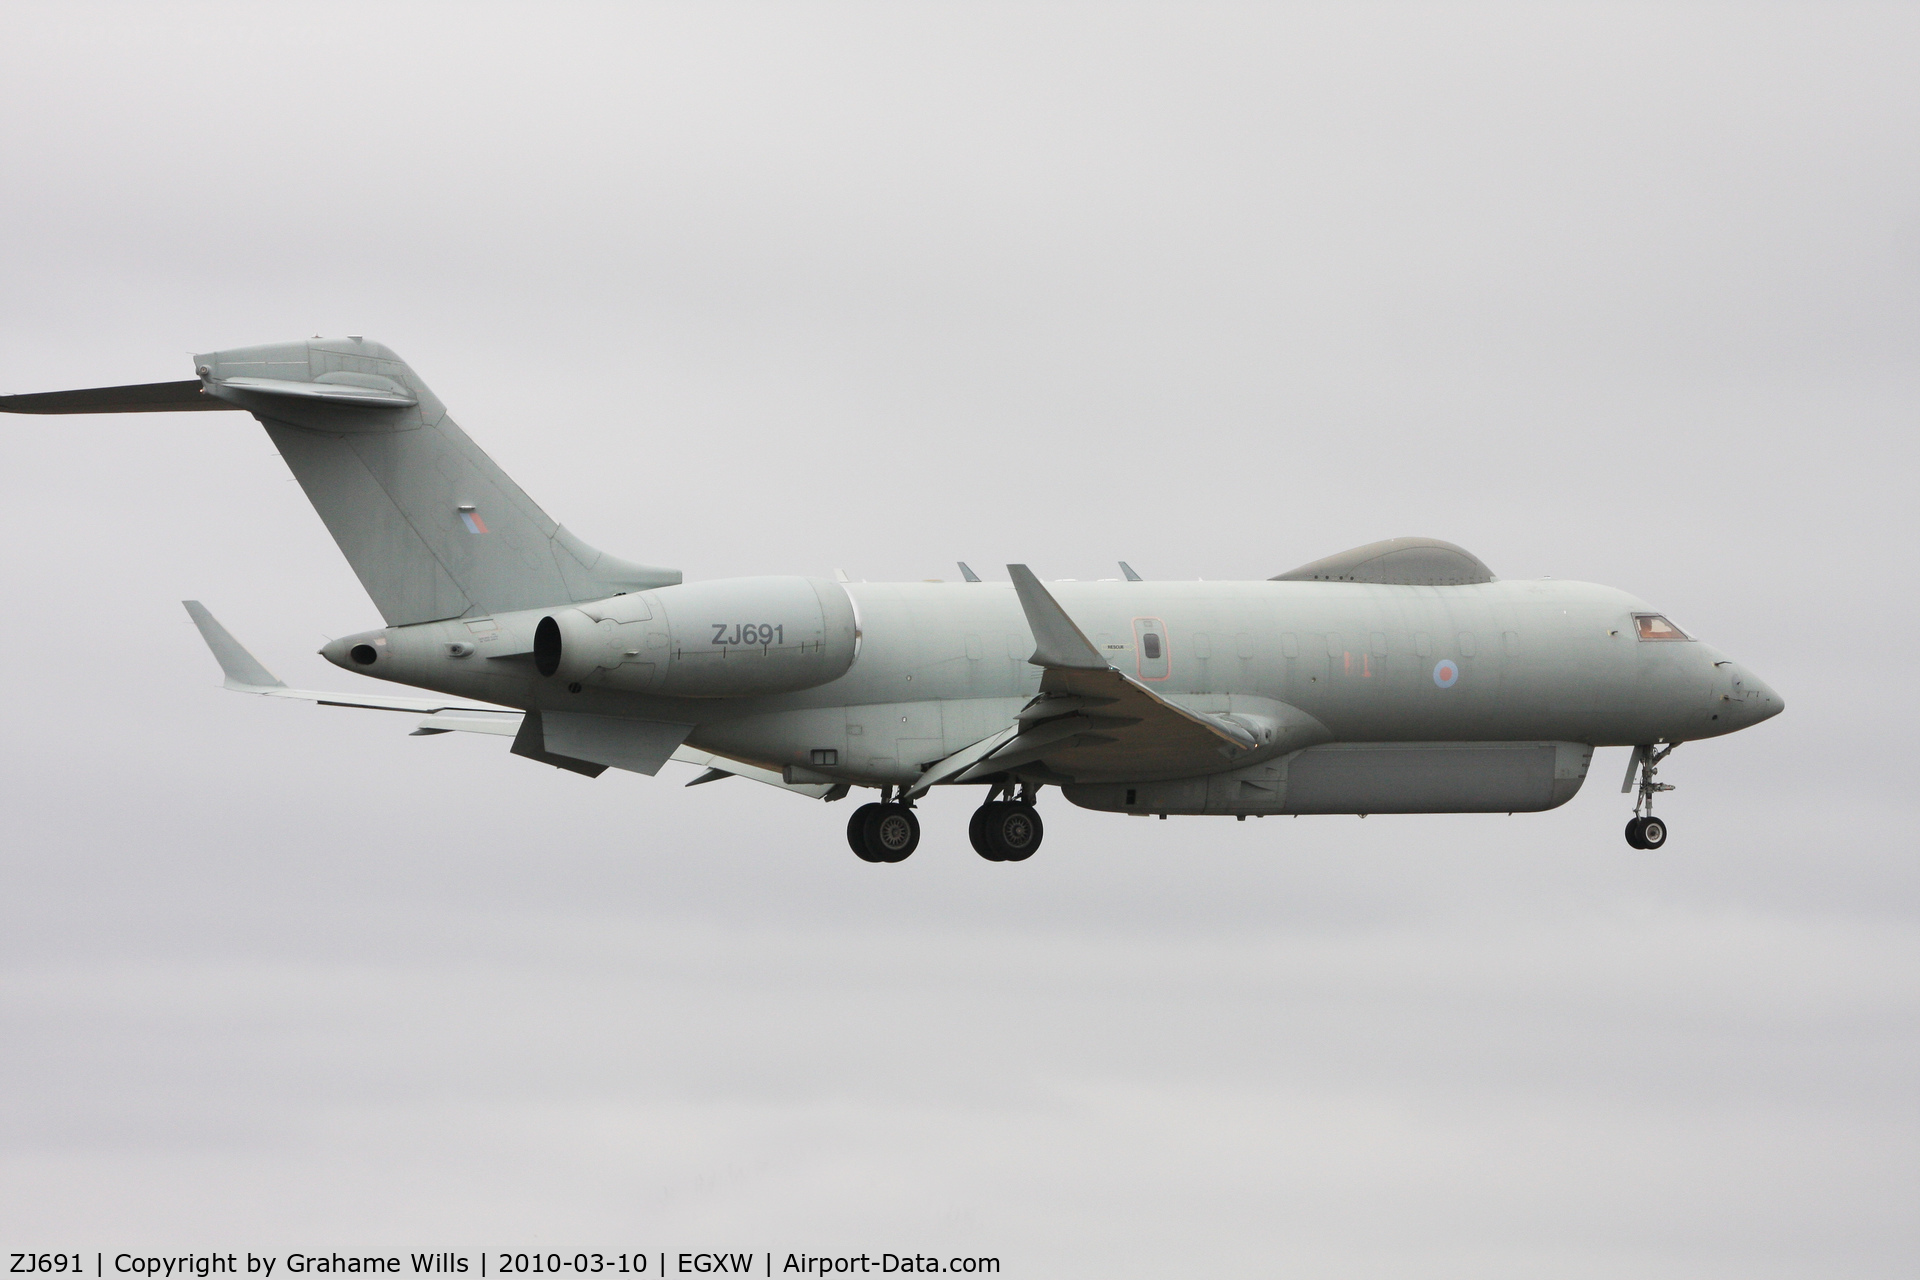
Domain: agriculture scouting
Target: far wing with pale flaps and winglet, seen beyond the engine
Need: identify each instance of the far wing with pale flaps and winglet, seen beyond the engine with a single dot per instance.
(245, 675)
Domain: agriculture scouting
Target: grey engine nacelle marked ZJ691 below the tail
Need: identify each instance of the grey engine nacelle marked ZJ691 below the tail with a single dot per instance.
(706, 640)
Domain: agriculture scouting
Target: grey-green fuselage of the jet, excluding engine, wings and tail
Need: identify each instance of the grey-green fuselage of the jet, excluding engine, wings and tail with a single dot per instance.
(946, 665)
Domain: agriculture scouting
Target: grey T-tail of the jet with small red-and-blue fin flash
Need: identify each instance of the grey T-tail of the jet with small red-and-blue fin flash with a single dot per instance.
(429, 523)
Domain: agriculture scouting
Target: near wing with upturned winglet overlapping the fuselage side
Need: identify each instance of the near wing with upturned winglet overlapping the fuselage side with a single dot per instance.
(1093, 723)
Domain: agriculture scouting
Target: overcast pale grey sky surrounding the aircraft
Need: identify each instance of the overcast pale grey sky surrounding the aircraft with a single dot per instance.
(1610, 293)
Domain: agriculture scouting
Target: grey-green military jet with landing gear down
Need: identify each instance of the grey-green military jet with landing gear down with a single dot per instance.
(1395, 678)
